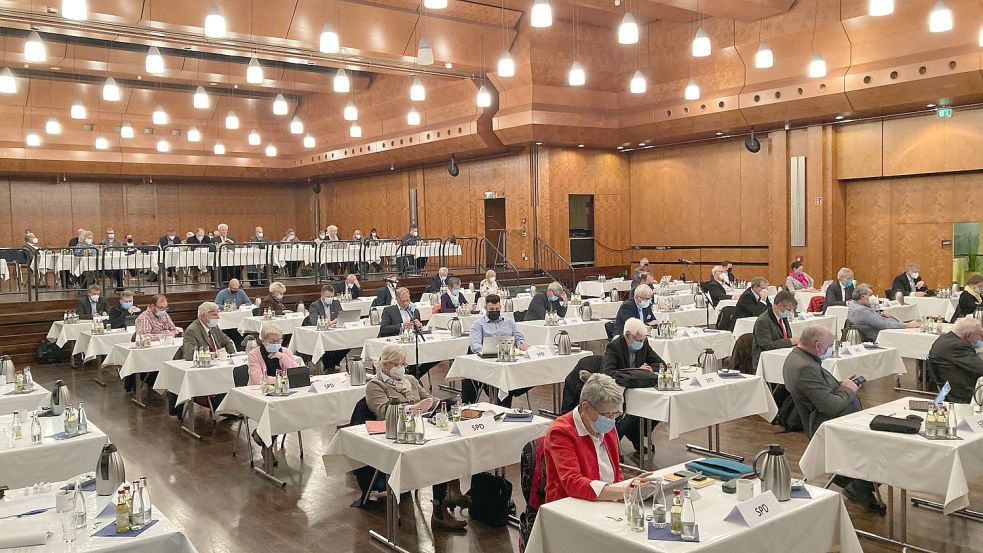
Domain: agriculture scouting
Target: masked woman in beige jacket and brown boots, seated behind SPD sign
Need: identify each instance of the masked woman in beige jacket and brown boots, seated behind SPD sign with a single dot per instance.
(392, 382)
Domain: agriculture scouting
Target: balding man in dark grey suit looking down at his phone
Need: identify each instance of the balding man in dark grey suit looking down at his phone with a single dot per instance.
(819, 396)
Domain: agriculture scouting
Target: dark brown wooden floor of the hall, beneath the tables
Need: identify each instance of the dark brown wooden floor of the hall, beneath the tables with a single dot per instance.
(224, 507)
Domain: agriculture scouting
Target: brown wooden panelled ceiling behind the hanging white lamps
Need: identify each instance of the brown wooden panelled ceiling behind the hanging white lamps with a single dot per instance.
(877, 65)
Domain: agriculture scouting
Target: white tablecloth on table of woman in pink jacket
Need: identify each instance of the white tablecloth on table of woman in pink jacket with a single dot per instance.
(331, 404)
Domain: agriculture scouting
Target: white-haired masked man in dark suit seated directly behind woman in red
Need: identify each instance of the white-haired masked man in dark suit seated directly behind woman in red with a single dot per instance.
(630, 350)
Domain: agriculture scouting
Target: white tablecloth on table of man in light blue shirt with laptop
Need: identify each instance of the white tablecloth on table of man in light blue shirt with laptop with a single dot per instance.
(524, 373)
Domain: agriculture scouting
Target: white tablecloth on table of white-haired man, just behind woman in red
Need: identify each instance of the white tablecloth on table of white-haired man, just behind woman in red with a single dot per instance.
(696, 407)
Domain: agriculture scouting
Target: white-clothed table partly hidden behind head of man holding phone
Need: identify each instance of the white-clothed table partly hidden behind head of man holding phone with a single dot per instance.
(869, 363)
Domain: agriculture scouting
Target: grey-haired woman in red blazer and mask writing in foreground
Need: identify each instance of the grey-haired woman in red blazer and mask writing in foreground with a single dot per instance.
(582, 446)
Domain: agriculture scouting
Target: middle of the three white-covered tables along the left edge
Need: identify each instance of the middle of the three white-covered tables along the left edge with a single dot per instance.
(26, 464)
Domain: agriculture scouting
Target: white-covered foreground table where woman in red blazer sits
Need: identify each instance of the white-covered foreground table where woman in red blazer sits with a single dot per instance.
(816, 525)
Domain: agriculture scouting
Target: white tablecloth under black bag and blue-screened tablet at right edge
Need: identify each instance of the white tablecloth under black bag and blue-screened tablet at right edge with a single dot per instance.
(847, 446)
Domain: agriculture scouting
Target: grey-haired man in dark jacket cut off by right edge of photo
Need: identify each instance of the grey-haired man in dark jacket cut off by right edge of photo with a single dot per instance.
(957, 358)
